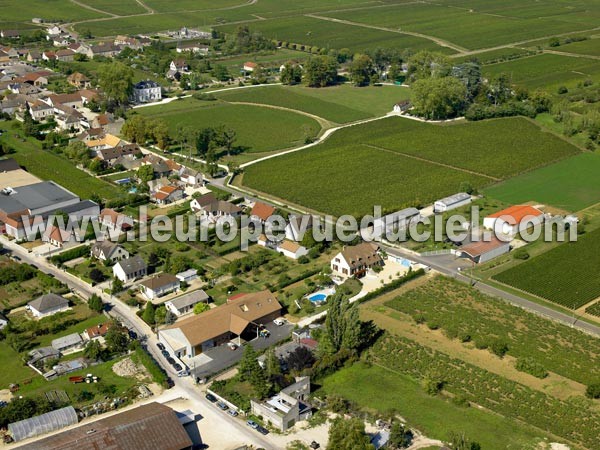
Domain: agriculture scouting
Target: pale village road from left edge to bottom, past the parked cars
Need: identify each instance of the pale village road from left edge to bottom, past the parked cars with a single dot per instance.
(211, 415)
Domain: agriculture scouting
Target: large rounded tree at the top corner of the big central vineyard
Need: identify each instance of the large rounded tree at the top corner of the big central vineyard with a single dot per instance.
(438, 98)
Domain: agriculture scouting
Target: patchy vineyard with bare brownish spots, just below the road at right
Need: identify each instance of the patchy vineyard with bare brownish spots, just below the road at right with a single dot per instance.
(456, 308)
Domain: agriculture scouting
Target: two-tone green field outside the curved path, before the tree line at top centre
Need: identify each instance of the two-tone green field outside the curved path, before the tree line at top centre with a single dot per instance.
(339, 104)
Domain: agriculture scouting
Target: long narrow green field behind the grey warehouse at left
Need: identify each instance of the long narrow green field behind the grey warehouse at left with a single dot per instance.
(49, 166)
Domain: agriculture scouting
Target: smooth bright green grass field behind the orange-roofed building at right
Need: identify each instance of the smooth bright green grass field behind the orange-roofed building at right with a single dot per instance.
(572, 184)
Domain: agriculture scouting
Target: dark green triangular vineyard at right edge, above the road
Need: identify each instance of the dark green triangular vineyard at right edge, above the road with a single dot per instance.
(566, 275)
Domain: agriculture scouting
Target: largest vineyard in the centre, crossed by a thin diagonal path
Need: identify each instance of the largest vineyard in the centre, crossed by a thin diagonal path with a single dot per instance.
(397, 162)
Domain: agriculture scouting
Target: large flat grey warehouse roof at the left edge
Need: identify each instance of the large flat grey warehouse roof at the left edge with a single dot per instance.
(34, 196)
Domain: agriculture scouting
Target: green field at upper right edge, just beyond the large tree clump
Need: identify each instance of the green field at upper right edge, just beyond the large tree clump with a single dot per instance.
(547, 71)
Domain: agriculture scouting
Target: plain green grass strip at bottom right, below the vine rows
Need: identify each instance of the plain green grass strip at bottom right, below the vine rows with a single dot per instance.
(377, 389)
